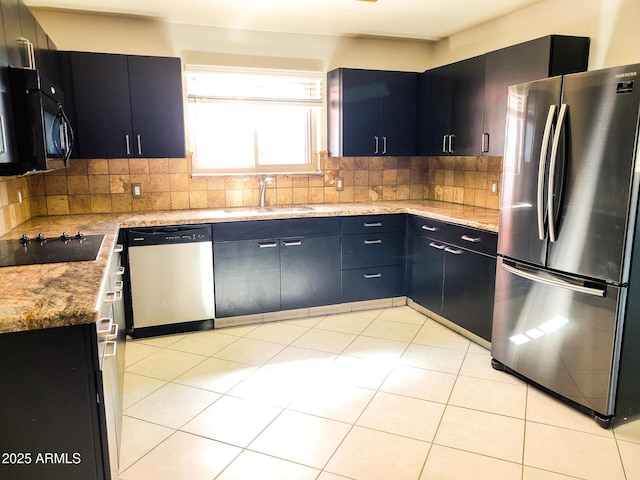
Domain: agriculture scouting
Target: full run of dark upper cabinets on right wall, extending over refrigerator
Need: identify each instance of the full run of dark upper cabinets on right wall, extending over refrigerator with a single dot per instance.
(462, 106)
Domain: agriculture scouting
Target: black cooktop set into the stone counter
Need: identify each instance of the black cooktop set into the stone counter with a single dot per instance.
(40, 249)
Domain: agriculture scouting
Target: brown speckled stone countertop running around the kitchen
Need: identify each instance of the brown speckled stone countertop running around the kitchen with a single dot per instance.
(58, 294)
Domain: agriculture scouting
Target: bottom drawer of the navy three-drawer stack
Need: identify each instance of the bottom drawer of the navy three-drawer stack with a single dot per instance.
(372, 283)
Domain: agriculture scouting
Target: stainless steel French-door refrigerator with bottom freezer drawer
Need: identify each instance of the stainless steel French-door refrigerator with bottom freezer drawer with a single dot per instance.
(567, 312)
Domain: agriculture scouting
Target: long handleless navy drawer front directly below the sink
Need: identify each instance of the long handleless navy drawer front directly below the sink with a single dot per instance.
(283, 228)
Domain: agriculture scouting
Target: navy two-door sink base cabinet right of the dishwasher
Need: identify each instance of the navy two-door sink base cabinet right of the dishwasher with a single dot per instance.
(271, 265)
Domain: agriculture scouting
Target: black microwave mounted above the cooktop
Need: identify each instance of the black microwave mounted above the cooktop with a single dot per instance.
(42, 129)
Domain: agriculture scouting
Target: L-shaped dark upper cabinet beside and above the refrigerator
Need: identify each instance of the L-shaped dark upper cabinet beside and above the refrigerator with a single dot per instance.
(544, 57)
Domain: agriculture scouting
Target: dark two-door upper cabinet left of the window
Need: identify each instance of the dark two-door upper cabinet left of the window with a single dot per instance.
(128, 106)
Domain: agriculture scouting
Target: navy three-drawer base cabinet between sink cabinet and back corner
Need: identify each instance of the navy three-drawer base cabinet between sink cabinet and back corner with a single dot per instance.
(372, 257)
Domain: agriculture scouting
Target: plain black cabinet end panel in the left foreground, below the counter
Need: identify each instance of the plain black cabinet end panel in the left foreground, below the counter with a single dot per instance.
(50, 401)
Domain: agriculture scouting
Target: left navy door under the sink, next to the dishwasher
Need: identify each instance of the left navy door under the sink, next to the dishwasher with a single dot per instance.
(247, 277)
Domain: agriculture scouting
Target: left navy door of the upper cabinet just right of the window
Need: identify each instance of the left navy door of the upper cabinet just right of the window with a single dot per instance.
(360, 107)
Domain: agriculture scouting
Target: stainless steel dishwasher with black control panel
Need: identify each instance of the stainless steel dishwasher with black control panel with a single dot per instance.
(171, 271)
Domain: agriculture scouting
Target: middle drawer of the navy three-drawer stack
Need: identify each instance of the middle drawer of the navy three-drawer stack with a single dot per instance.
(369, 249)
